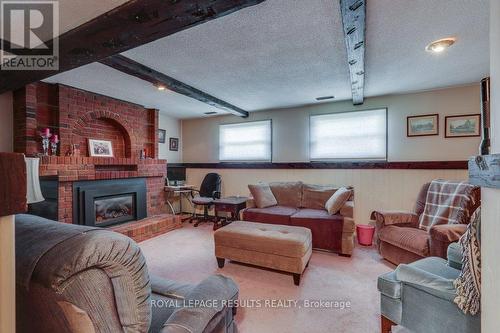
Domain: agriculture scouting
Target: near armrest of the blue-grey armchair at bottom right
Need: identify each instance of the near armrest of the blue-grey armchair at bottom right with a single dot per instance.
(430, 283)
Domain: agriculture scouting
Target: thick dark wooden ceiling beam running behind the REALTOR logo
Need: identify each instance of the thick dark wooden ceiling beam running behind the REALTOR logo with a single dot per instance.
(132, 24)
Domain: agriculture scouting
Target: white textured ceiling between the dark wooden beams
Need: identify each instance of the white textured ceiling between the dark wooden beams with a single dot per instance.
(285, 53)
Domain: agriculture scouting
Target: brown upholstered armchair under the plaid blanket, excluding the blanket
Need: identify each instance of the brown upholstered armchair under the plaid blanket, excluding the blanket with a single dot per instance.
(399, 239)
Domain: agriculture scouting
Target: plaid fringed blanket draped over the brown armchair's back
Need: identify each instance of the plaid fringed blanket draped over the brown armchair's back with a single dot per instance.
(447, 202)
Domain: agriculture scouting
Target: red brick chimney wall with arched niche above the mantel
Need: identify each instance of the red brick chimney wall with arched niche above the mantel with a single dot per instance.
(78, 115)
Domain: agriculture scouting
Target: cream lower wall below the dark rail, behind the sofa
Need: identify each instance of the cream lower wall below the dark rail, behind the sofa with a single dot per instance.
(374, 189)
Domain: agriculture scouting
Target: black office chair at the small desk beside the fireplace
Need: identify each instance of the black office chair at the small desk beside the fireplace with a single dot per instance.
(210, 190)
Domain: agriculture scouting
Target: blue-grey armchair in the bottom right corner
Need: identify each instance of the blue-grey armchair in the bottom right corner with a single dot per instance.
(420, 297)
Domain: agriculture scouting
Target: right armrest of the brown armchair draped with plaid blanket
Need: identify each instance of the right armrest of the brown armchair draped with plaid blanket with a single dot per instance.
(441, 236)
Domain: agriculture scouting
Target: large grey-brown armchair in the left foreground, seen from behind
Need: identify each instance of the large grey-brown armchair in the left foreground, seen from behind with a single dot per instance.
(78, 279)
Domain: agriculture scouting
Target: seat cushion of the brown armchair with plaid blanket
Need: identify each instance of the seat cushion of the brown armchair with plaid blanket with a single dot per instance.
(410, 239)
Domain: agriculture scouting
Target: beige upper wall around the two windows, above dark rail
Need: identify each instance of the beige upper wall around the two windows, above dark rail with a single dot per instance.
(291, 127)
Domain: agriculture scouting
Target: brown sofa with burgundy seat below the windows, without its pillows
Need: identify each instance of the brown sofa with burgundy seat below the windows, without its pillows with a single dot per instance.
(303, 205)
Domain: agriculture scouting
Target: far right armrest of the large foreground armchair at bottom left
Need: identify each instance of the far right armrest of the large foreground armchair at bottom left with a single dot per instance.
(205, 307)
